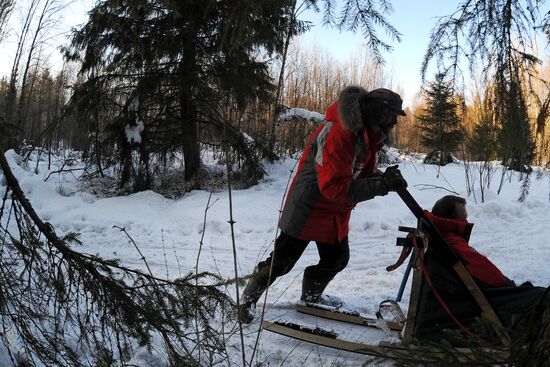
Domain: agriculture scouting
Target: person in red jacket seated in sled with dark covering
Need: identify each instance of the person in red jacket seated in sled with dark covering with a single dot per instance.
(512, 304)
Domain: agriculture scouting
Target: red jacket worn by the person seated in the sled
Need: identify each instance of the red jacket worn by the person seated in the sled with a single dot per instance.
(457, 234)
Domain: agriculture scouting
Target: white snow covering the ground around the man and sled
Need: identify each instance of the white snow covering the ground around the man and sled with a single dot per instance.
(514, 235)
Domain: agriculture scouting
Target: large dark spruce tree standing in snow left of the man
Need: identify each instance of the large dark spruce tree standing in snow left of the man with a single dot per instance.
(194, 66)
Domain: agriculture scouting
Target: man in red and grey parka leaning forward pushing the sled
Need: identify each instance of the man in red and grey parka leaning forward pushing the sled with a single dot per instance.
(336, 171)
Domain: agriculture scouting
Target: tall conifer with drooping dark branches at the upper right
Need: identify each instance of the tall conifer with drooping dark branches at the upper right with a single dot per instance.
(498, 36)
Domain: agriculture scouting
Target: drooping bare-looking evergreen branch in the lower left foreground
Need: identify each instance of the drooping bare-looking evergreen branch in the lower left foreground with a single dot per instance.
(63, 306)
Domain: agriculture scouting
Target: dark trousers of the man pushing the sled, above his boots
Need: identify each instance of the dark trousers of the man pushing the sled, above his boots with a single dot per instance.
(333, 258)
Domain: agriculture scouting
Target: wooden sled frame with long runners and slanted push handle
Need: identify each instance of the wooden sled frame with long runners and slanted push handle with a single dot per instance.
(403, 329)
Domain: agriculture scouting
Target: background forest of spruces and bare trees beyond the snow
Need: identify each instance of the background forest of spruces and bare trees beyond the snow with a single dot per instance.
(146, 86)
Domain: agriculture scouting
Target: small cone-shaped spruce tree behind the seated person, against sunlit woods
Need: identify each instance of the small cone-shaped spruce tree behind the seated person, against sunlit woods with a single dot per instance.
(440, 123)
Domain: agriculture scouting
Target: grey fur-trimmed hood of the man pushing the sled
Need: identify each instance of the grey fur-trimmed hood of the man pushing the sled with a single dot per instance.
(347, 109)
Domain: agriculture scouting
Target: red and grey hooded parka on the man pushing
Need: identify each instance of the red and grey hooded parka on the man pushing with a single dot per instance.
(337, 156)
